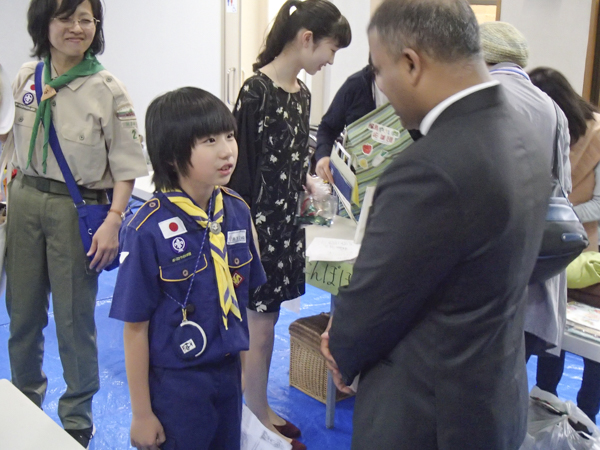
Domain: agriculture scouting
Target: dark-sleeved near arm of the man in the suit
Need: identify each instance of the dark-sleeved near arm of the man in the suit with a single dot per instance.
(409, 246)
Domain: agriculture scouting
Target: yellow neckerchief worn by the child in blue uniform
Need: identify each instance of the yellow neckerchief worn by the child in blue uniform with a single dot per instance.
(218, 248)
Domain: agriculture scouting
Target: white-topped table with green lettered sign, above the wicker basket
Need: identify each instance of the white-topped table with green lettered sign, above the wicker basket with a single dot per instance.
(329, 276)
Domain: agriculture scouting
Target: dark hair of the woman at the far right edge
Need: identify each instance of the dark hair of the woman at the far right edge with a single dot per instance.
(558, 88)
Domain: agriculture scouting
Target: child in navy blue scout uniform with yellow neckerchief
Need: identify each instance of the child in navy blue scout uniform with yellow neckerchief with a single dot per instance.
(188, 262)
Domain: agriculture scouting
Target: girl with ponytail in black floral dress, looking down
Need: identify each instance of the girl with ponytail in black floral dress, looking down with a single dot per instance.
(272, 112)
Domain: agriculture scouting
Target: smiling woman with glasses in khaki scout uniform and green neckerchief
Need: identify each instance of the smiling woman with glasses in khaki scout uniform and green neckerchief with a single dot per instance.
(97, 131)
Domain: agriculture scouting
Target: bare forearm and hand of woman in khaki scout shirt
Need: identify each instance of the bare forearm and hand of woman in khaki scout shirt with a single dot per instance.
(105, 242)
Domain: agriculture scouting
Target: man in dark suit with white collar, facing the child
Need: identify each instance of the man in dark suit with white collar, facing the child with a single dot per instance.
(433, 316)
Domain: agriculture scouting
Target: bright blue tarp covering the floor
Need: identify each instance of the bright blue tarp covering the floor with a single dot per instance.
(112, 413)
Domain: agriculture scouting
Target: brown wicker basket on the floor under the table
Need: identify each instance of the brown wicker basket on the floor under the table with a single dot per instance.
(308, 371)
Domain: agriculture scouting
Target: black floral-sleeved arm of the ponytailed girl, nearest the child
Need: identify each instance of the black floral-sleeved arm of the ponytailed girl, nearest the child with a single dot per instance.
(249, 114)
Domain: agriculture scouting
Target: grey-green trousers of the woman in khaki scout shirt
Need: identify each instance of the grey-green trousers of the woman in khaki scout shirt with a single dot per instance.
(45, 254)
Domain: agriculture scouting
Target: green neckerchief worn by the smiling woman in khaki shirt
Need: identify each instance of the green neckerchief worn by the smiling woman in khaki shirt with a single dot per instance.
(88, 66)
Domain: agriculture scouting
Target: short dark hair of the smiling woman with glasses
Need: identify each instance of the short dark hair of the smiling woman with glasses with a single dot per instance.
(41, 12)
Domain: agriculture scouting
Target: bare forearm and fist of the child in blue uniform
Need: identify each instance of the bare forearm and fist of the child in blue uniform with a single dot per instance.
(146, 431)
